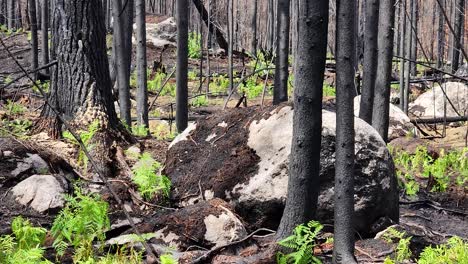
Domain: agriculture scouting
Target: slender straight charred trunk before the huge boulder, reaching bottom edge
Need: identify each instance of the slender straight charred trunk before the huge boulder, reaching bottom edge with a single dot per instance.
(344, 167)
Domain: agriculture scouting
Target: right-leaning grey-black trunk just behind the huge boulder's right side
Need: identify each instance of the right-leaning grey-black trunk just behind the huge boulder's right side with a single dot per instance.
(380, 117)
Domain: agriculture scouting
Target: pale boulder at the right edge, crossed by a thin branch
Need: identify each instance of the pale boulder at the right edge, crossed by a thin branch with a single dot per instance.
(431, 103)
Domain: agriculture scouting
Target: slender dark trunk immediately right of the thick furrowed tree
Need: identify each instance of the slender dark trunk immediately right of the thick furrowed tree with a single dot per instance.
(122, 80)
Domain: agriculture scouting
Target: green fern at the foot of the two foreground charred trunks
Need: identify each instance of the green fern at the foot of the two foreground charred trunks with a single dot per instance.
(302, 241)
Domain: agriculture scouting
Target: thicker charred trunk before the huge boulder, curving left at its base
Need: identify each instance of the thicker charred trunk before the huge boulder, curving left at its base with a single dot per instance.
(304, 166)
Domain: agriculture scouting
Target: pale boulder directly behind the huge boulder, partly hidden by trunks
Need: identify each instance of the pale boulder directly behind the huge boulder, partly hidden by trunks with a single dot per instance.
(399, 124)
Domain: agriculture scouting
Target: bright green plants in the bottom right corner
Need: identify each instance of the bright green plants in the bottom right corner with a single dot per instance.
(453, 252)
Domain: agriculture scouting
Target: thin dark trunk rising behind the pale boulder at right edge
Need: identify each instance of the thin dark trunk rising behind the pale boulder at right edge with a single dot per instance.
(457, 37)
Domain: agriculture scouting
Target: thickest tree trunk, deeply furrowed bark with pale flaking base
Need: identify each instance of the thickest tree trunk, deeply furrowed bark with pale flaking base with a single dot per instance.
(80, 89)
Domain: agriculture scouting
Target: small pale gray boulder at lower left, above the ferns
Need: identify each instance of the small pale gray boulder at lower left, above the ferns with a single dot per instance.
(41, 192)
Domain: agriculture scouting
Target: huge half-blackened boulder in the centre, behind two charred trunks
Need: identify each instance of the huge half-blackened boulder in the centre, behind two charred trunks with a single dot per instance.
(242, 156)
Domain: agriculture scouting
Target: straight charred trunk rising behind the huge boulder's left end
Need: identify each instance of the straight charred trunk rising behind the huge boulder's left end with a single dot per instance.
(182, 66)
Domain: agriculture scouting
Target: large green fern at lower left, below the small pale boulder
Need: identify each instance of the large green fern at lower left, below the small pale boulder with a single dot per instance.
(81, 221)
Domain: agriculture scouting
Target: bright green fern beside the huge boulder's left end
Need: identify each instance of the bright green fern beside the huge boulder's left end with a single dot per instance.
(147, 177)
